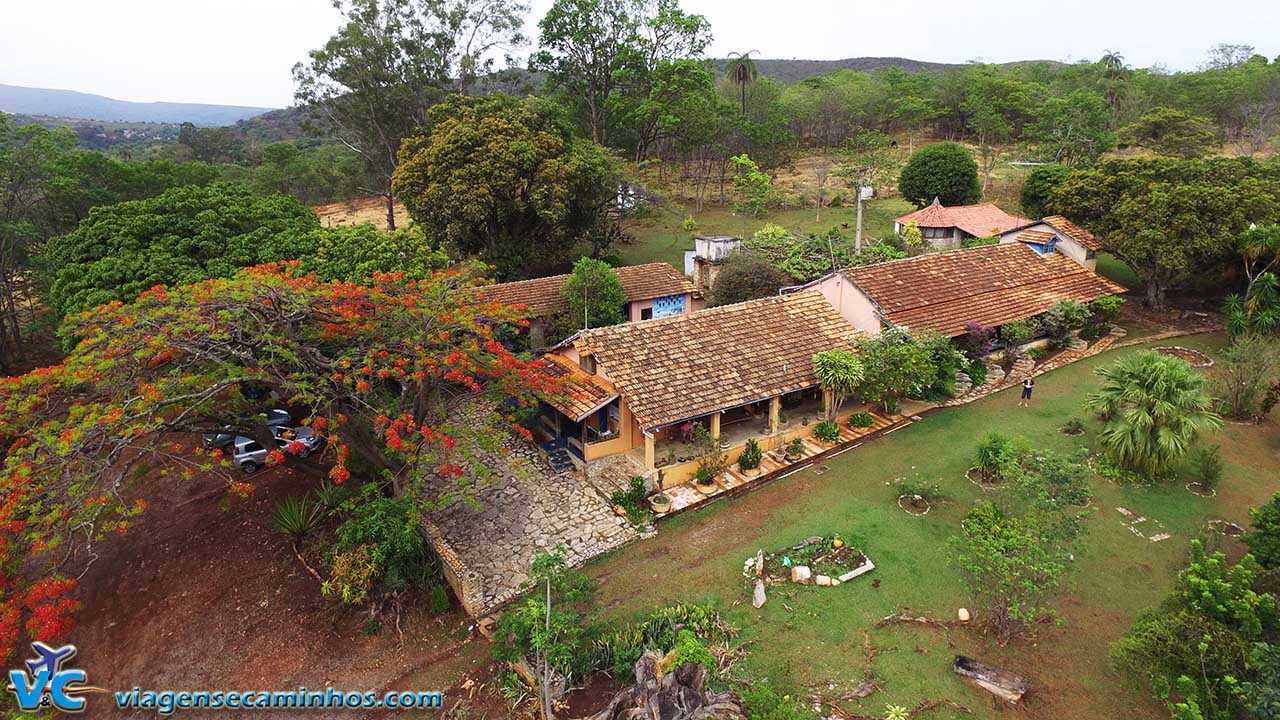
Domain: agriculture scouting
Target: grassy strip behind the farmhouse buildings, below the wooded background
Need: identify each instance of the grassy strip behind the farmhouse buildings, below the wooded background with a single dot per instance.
(664, 239)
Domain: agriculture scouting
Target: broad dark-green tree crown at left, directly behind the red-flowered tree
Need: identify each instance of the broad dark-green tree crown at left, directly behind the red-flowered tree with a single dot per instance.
(182, 236)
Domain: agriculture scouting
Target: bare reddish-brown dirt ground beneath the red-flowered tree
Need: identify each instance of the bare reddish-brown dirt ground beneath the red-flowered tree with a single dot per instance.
(208, 596)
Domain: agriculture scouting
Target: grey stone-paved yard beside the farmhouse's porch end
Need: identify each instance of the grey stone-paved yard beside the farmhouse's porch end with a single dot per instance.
(488, 546)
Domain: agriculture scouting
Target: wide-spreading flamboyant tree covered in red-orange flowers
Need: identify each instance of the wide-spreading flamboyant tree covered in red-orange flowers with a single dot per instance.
(377, 368)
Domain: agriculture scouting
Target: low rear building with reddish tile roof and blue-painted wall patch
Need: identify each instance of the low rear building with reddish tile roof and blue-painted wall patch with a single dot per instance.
(653, 290)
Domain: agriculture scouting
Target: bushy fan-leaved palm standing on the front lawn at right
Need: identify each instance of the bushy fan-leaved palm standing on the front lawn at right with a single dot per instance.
(1155, 407)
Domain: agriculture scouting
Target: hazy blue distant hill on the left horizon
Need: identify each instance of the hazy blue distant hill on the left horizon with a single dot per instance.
(83, 106)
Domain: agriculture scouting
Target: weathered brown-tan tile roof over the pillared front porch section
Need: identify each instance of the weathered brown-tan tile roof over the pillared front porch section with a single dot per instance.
(692, 366)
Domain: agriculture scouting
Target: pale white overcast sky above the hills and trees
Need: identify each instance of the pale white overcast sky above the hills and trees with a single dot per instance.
(240, 52)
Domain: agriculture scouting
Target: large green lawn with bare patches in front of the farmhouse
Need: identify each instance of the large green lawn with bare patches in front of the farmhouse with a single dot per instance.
(811, 637)
